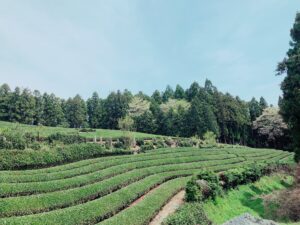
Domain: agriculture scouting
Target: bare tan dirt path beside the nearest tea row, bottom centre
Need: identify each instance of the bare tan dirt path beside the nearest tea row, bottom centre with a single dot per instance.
(169, 208)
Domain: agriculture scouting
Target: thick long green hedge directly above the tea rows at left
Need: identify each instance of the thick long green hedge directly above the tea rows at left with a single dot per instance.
(14, 159)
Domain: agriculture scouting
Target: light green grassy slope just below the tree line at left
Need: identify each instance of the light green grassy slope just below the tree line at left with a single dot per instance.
(45, 131)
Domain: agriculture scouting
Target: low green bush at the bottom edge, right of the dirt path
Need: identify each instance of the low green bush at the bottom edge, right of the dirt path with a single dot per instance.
(188, 214)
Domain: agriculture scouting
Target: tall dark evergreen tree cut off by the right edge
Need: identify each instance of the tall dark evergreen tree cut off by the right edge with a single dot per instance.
(290, 104)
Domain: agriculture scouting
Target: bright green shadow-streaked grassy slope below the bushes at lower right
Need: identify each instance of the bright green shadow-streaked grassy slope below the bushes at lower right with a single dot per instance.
(245, 199)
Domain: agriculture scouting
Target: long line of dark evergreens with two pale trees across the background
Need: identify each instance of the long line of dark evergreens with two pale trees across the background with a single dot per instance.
(172, 112)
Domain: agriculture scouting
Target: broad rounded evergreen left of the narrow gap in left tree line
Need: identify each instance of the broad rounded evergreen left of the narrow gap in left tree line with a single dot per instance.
(76, 113)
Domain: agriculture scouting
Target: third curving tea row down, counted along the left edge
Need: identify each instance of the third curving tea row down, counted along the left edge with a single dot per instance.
(23, 205)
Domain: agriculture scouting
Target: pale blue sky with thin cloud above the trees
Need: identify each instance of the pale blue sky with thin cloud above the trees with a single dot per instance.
(70, 47)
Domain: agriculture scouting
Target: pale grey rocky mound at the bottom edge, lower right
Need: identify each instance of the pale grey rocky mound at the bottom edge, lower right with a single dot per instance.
(247, 219)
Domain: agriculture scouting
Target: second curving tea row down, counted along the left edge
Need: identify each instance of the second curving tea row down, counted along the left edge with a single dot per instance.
(12, 189)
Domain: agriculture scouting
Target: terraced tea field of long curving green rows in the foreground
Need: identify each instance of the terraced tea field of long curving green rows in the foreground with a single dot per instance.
(103, 190)
